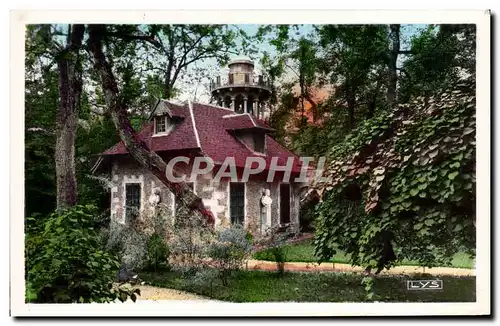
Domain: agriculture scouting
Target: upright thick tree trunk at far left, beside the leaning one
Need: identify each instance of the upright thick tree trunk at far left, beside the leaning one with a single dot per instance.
(70, 88)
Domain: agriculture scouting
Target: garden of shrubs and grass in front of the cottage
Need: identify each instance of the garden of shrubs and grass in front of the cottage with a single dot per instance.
(112, 263)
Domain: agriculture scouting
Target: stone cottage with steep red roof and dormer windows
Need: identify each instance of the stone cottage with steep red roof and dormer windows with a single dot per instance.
(234, 189)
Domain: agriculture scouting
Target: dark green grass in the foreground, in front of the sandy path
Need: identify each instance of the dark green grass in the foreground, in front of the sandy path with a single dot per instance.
(259, 286)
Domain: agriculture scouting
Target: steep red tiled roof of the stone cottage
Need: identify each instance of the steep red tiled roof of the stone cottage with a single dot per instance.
(212, 134)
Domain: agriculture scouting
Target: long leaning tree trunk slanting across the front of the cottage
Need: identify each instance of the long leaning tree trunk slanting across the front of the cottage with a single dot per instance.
(137, 149)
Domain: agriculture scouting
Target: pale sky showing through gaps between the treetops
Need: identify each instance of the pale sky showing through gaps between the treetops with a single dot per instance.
(200, 92)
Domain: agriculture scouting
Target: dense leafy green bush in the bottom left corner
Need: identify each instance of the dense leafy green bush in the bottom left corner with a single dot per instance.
(68, 264)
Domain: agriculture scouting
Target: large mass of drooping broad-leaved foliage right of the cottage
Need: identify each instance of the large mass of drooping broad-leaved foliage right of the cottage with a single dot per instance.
(403, 178)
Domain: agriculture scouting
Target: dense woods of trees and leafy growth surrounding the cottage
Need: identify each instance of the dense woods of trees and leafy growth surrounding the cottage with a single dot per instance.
(397, 128)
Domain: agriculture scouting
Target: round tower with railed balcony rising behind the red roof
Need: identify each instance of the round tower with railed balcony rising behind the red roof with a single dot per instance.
(242, 90)
